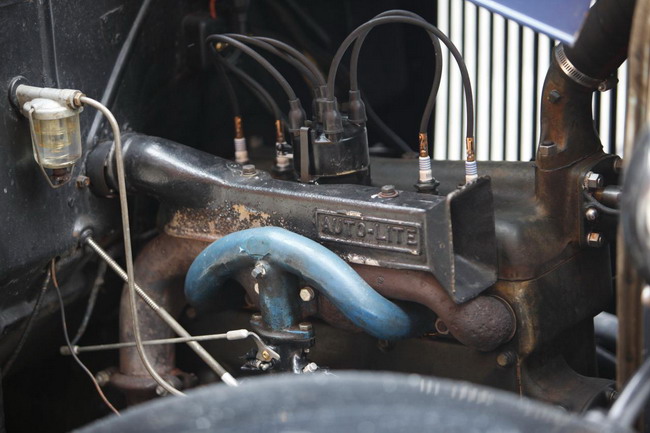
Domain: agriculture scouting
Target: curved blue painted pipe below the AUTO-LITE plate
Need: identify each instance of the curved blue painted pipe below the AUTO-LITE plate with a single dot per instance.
(319, 267)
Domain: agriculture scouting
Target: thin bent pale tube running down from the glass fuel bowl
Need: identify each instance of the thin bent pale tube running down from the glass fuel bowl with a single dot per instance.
(128, 253)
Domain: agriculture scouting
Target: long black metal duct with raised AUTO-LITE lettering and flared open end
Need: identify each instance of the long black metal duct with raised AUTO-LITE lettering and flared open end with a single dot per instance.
(455, 232)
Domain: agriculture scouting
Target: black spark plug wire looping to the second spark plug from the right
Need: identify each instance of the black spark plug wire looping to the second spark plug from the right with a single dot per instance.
(431, 101)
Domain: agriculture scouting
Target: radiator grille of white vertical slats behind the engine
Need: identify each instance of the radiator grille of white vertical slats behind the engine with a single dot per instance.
(507, 64)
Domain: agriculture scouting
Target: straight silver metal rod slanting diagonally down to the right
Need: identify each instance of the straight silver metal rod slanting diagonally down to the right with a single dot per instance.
(166, 317)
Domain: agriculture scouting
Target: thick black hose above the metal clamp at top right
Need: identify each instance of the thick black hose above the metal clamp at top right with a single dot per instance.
(602, 44)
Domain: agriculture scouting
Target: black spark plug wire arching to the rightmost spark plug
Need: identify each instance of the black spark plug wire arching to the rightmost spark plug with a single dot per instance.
(362, 29)
